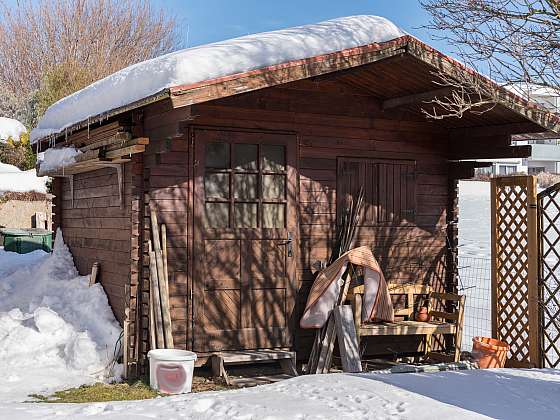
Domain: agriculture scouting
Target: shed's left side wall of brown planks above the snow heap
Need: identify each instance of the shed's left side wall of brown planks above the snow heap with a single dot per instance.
(96, 228)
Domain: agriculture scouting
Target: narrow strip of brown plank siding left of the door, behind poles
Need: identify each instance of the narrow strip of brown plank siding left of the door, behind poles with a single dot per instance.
(166, 181)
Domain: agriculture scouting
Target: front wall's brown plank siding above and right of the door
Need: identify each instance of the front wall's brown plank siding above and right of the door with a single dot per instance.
(333, 125)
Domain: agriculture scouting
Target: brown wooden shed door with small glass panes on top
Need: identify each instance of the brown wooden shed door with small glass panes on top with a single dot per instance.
(245, 240)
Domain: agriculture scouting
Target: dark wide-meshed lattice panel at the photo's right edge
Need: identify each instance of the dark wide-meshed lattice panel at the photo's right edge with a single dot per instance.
(549, 274)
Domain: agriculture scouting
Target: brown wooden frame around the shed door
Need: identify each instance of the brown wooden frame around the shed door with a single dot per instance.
(195, 248)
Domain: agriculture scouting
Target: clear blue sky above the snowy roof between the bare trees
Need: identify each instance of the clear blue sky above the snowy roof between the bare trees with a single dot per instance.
(206, 21)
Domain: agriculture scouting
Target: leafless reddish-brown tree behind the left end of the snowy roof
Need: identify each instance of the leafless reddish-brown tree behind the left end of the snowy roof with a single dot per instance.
(92, 38)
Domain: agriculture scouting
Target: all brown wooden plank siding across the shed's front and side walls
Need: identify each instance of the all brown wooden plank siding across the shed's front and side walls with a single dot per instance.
(330, 122)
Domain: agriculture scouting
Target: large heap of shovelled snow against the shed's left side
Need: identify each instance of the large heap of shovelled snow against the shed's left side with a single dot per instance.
(55, 331)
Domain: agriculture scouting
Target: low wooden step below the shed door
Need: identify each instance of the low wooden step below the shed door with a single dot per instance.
(220, 360)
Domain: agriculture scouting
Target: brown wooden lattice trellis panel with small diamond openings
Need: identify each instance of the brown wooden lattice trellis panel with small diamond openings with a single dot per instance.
(515, 317)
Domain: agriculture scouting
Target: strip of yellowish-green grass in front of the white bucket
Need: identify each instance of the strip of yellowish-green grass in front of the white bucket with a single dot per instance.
(100, 392)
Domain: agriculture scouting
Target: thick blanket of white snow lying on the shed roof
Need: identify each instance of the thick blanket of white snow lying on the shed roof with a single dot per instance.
(210, 61)
